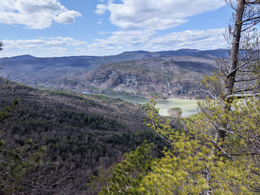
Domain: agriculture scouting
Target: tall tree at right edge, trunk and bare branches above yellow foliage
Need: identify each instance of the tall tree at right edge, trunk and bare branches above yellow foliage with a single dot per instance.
(240, 75)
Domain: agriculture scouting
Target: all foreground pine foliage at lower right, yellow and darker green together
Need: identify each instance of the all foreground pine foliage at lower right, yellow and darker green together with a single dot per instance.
(197, 161)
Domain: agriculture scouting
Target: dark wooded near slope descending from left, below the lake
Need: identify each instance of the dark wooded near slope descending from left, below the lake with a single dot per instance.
(85, 130)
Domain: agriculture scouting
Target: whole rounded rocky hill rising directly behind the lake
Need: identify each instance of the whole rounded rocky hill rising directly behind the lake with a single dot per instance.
(165, 77)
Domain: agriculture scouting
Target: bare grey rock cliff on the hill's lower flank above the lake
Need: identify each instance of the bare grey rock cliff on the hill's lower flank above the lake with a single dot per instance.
(146, 87)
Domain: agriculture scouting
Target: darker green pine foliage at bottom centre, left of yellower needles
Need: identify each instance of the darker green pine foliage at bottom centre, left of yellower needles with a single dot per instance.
(126, 175)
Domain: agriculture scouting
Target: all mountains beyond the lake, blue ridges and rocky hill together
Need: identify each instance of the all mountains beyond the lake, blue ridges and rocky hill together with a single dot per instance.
(171, 73)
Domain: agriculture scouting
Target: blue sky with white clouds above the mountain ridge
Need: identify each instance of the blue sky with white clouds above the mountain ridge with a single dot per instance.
(49, 28)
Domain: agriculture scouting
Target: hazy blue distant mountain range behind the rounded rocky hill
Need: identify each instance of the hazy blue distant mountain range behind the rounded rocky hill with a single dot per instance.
(66, 71)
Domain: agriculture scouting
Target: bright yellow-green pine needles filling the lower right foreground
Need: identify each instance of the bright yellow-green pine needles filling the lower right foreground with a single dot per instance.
(196, 164)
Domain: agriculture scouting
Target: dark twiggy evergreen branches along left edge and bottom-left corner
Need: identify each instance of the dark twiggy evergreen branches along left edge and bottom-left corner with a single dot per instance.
(22, 168)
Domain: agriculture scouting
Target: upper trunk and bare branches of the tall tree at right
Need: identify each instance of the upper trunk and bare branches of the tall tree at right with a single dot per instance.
(244, 51)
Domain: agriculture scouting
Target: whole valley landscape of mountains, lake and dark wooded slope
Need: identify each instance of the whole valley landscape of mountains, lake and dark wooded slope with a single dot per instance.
(89, 131)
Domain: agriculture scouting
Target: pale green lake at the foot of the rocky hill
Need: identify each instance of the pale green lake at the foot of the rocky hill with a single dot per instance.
(188, 106)
